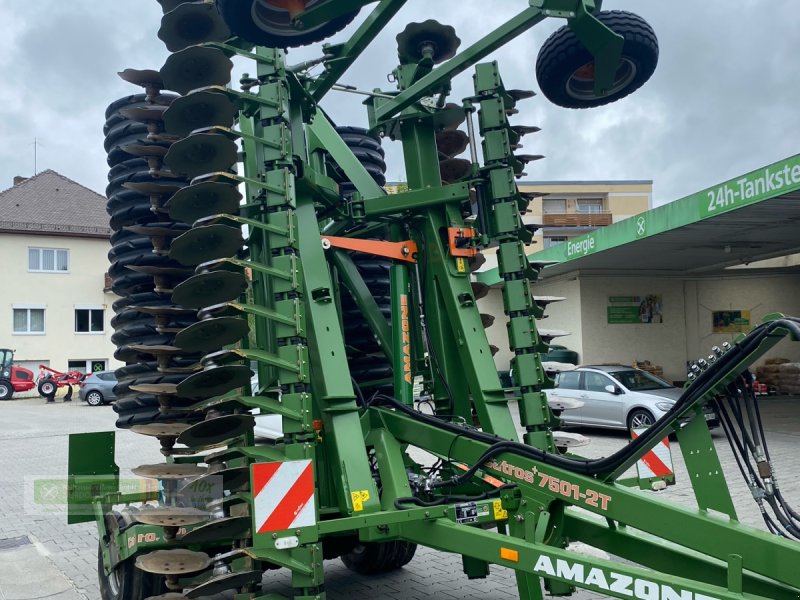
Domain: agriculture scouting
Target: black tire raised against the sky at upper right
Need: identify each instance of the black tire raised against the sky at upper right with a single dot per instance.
(565, 68)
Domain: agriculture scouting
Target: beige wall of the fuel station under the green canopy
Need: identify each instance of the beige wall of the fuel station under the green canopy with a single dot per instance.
(685, 333)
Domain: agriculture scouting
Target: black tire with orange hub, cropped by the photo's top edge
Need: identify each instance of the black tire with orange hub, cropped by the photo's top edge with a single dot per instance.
(239, 17)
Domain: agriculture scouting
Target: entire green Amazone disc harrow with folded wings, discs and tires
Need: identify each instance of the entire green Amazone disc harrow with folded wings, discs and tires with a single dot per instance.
(265, 273)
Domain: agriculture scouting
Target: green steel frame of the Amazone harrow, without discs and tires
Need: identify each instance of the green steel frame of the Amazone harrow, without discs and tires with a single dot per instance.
(295, 311)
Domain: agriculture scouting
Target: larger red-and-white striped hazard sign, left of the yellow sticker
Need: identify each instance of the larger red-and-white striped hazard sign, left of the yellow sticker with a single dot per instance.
(283, 495)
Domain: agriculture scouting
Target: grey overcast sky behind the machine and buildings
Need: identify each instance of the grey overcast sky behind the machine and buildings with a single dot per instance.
(723, 100)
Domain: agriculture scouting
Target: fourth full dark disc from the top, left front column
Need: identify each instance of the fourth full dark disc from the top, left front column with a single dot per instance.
(201, 153)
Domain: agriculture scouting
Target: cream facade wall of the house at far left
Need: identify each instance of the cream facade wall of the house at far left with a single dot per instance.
(58, 293)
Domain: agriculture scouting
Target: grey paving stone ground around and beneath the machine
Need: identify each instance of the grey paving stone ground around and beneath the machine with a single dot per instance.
(33, 447)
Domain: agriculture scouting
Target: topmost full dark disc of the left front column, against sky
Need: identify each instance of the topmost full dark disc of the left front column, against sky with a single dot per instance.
(191, 23)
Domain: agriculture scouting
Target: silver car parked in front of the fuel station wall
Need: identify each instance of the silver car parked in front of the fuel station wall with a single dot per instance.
(618, 397)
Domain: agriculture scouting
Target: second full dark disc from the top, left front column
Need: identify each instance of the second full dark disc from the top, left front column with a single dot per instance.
(196, 67)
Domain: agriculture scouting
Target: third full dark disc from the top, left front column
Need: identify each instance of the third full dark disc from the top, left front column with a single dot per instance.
(199, 109)
